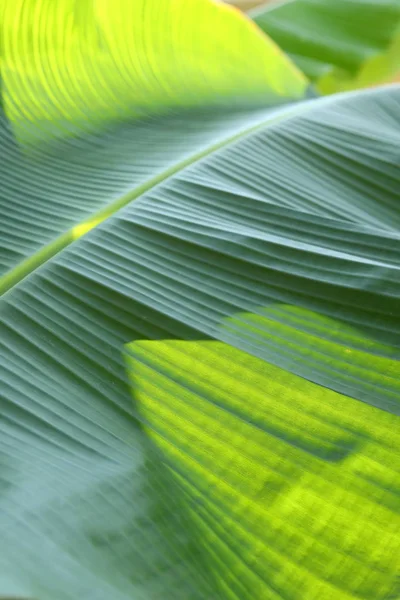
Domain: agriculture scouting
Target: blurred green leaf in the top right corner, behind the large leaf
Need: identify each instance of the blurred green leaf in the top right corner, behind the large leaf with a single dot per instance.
(339, 44)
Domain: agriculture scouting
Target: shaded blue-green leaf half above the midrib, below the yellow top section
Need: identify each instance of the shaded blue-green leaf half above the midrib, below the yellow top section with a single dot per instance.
(71, 187)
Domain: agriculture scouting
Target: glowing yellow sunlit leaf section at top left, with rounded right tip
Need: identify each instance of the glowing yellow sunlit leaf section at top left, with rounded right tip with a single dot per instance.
(71, 65)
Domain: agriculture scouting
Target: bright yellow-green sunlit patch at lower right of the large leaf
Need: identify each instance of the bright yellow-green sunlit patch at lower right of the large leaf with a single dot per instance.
(293, 490)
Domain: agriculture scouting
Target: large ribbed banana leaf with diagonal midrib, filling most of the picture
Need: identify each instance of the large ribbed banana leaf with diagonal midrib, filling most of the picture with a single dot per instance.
(256, 249)
